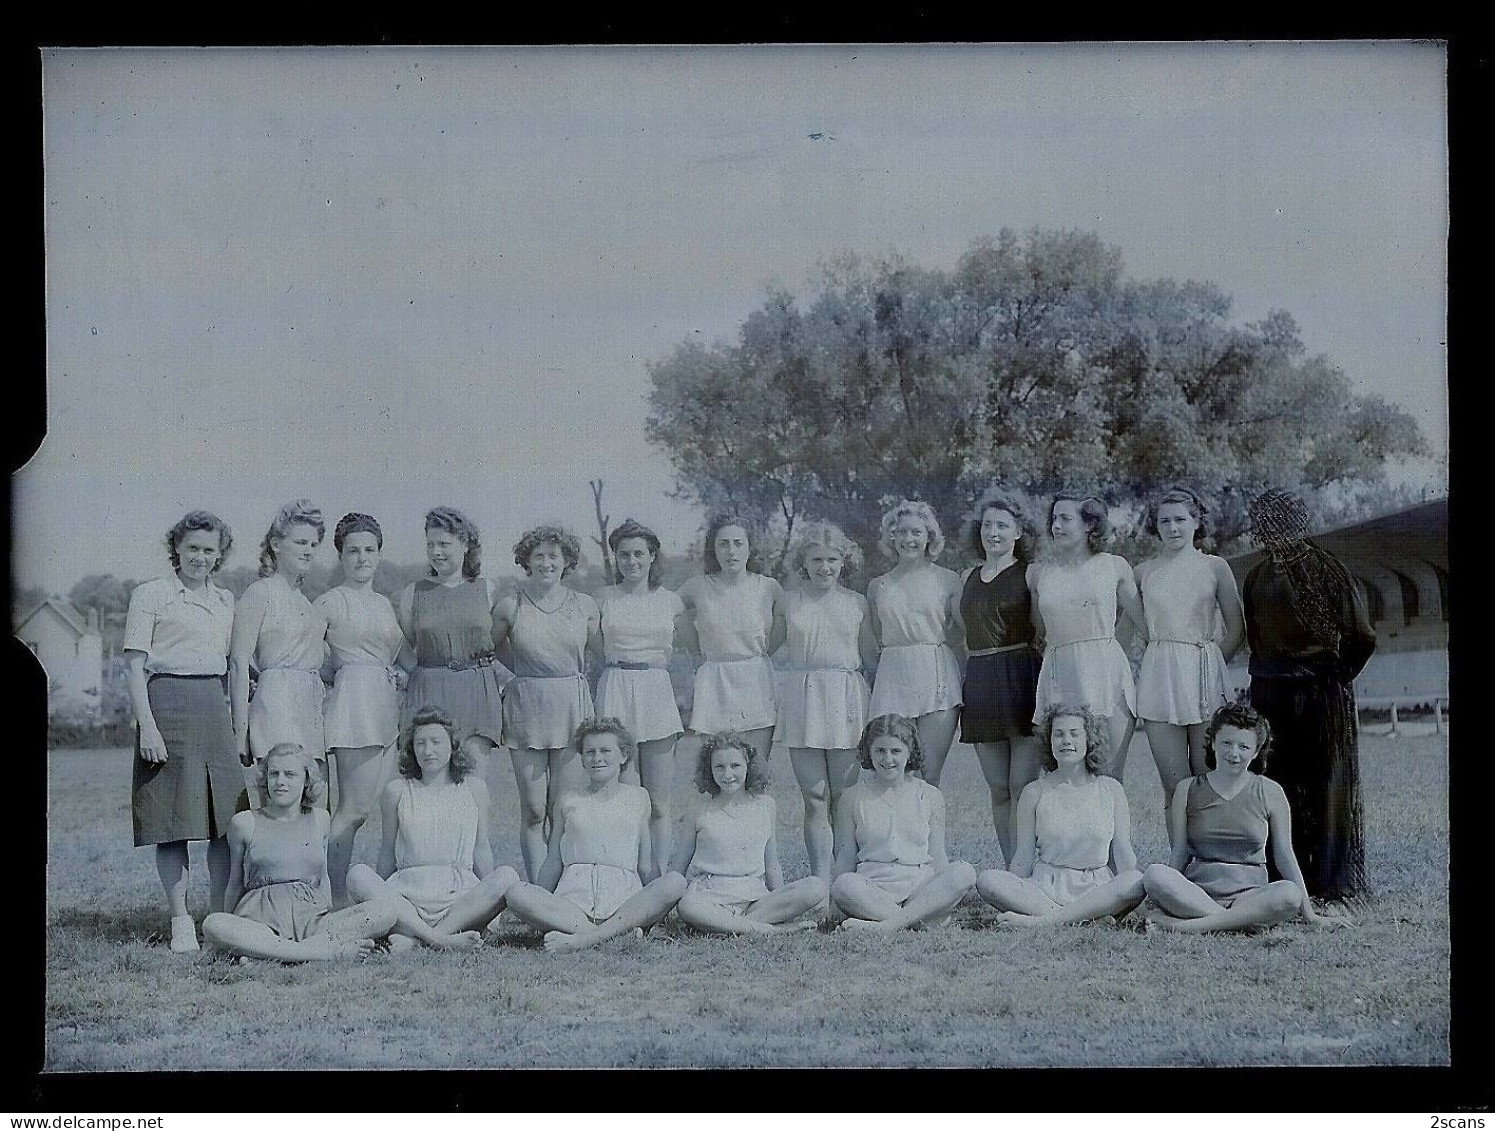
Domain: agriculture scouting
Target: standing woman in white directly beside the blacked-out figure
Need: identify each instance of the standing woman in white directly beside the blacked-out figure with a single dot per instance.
(1183, 681)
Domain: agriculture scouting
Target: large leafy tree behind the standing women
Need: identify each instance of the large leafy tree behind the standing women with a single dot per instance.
(1035, 362)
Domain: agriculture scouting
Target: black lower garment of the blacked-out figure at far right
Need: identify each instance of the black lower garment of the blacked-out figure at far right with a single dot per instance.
(1315, 760)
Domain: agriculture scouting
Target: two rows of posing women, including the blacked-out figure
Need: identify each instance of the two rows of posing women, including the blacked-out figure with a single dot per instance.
(1019, 652)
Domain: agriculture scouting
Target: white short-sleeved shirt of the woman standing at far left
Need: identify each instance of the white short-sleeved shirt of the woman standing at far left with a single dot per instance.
(182, 633)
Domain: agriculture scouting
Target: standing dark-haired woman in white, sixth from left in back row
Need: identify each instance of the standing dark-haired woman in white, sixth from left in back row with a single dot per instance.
(639, 627)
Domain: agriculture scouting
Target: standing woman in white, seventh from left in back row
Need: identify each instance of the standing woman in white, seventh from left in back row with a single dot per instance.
(736, 618)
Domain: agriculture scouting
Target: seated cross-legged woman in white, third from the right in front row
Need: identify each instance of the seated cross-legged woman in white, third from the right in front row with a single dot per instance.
(892, 870)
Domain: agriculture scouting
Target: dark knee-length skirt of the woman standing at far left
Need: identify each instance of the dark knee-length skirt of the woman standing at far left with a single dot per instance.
(194, 794)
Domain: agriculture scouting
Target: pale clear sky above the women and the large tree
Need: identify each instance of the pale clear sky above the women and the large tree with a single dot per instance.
(394, 279)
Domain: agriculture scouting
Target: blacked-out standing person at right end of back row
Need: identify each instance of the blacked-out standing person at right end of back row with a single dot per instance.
(1310, 637)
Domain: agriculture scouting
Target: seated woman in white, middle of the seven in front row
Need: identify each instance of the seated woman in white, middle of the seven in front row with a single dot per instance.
(730, 855)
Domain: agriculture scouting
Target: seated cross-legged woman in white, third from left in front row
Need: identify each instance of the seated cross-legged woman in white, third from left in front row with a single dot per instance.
(599, 879)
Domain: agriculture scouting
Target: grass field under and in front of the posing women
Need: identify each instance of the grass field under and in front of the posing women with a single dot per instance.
(968, 996)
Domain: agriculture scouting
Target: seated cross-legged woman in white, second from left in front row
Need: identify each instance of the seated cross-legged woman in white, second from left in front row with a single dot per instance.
(436, 857)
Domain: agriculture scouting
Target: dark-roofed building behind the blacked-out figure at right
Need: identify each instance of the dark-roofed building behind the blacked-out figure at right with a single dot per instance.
(1402, 565)
